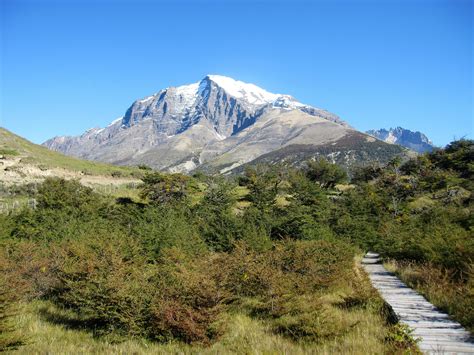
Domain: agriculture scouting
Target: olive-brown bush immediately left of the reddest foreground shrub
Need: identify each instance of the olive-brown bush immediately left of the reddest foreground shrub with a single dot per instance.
(105, 280)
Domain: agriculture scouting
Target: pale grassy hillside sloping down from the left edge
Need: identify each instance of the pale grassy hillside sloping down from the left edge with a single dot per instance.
(25, 152)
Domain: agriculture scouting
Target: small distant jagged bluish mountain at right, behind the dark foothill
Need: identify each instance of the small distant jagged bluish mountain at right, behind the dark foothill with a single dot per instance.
(416, 141)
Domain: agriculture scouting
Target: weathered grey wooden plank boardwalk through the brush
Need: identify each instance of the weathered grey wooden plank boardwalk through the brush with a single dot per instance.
(438, 333)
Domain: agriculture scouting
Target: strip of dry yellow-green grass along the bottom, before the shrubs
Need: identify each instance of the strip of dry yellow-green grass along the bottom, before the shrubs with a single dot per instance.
(245, 335)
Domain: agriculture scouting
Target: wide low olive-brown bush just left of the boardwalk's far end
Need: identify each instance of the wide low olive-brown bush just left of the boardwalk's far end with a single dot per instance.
(299, 267)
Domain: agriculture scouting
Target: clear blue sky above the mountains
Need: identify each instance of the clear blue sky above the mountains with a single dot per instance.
(71, 65)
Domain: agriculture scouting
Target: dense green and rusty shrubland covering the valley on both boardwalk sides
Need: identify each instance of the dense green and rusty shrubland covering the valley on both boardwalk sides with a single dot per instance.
(276, 244)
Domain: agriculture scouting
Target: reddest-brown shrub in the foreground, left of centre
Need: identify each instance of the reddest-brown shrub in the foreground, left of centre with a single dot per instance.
(189, 301)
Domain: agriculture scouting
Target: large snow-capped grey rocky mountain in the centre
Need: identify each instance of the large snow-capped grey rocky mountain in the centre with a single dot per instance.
(218, 123)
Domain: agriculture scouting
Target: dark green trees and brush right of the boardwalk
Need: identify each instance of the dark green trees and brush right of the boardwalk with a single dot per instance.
(420, 214)
